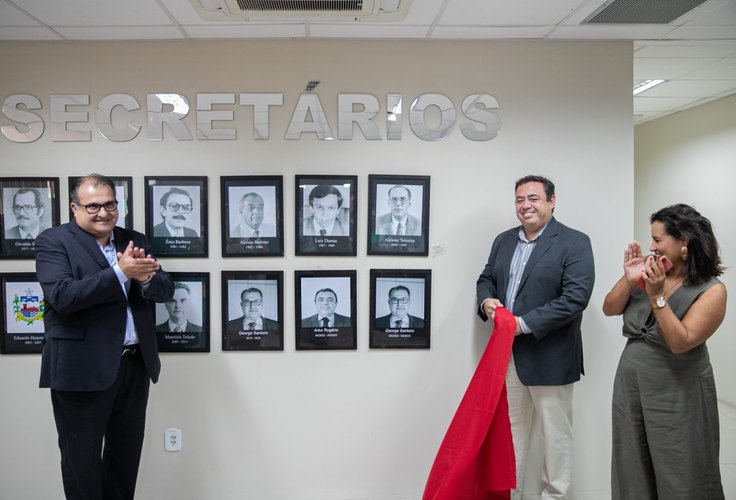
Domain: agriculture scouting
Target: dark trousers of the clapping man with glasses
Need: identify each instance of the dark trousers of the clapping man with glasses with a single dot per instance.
(115, 417)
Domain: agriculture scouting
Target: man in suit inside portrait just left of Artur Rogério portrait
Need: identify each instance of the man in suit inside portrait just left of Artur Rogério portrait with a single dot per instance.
(239, 331)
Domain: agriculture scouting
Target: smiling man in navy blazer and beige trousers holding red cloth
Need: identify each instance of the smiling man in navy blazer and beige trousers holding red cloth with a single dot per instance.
(543, 273)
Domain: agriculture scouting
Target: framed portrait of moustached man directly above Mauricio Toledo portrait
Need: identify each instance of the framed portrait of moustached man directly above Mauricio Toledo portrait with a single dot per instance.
(176, 216)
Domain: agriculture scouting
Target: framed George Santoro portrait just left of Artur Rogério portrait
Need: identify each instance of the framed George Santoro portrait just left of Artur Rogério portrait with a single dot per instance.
(252, 311)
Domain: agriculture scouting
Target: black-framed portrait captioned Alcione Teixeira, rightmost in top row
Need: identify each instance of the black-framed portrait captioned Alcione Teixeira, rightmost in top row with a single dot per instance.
(398, 215)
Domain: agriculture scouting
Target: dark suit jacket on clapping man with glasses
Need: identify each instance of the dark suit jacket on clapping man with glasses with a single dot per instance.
(86, 309)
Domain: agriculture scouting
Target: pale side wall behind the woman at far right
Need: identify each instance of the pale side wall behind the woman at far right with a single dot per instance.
(690, 157)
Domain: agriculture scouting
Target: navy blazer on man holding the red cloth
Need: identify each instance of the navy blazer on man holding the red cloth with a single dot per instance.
(555, 288)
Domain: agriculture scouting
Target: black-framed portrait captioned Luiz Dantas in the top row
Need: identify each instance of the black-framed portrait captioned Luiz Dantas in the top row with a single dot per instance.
(326, 211)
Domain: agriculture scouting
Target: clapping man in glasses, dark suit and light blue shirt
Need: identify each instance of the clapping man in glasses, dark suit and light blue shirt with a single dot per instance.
(100, 352)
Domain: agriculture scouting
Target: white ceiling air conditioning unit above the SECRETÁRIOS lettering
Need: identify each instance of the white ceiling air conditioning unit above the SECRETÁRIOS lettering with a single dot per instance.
(262, 10)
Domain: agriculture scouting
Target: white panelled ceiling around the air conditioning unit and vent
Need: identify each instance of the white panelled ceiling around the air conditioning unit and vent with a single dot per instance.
(696, 53)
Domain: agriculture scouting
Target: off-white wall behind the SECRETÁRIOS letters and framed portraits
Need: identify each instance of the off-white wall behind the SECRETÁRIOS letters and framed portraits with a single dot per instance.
(364, 424)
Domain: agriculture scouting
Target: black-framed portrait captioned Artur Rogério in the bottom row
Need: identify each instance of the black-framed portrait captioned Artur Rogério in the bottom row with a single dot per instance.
(325, 310)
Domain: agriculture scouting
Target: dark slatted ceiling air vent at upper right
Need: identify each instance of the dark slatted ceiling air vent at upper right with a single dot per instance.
(641, 11)
